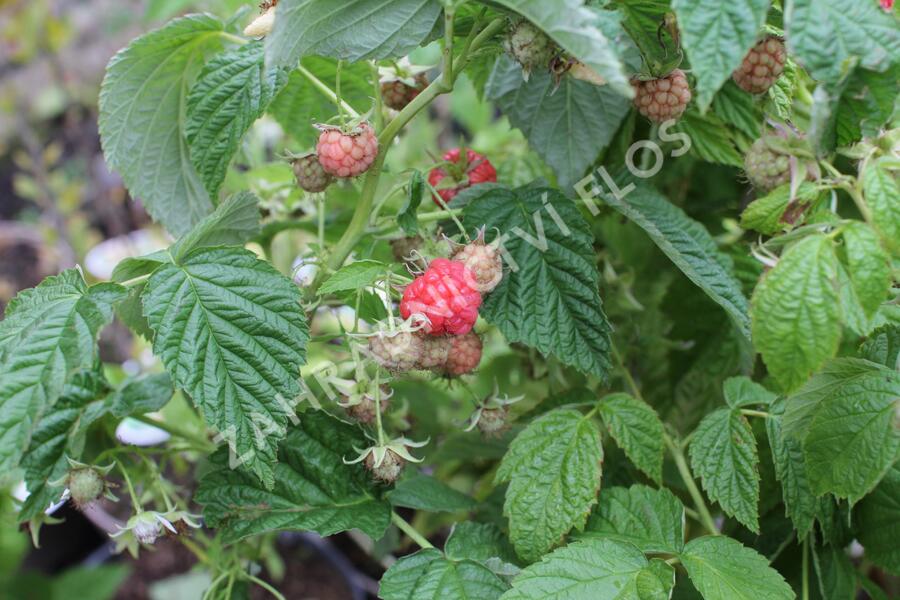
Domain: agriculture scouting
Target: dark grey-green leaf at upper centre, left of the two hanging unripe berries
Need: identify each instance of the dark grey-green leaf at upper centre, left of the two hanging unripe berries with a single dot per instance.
(567, 125)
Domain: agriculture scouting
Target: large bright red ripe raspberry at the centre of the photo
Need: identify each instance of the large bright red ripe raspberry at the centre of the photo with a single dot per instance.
(443, 296)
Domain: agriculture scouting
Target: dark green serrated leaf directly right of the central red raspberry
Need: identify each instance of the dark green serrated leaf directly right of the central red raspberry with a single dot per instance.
(548, 298)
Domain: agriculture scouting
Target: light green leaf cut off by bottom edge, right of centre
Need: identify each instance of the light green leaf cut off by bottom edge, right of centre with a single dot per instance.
(592, 569)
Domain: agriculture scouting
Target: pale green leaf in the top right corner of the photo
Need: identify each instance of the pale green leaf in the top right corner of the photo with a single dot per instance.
(826, 35)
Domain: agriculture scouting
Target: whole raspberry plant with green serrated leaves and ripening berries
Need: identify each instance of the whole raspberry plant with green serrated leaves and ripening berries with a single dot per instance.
(705, 375)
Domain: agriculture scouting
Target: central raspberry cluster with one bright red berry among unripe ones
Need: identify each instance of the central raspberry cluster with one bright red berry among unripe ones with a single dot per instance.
(443, 302)
